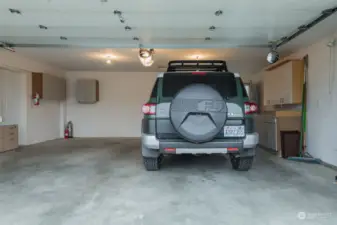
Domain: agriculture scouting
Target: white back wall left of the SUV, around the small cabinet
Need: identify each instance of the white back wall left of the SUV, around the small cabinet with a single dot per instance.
(118, 113)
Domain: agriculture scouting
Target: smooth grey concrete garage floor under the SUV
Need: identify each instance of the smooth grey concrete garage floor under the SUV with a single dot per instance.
(102, 181)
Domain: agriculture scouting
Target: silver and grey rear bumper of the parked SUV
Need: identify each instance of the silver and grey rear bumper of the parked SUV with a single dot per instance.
(249, 142)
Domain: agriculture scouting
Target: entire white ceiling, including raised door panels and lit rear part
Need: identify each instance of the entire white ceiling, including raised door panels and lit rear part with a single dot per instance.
(182, 25)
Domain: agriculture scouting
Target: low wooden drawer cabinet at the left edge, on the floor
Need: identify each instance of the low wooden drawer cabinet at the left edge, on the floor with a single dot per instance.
(8, 137)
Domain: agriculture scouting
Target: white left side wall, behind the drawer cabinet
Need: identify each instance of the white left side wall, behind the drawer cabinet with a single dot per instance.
(38, 123)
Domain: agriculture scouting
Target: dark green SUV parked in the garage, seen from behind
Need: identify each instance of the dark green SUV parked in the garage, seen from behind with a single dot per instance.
(199, 112)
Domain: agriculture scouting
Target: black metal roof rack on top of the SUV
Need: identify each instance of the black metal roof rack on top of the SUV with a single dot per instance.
(200, 65)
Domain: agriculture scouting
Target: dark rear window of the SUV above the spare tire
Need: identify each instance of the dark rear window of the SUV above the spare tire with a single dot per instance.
(225, 84)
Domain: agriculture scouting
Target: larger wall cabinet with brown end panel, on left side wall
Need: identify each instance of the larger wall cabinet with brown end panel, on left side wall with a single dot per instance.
(48, 87)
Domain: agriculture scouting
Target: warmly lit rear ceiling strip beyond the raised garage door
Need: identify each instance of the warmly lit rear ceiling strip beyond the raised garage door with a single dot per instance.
(125, 59)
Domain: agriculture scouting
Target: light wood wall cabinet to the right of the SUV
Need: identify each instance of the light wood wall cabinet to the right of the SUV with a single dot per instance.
(283, 83)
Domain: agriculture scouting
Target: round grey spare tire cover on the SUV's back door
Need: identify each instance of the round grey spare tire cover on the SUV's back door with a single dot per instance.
(198, 113)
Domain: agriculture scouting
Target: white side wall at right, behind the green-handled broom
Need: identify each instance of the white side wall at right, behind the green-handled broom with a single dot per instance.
(322, 100)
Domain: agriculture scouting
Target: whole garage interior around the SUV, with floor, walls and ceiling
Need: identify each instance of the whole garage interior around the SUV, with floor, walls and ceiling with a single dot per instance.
(97, 177)
